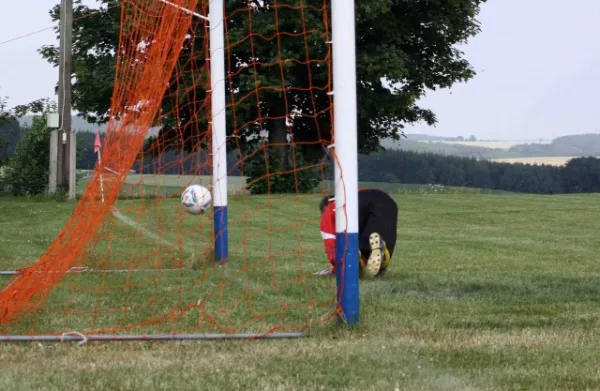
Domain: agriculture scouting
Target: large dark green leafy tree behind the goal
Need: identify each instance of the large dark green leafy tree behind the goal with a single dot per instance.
(410, 45)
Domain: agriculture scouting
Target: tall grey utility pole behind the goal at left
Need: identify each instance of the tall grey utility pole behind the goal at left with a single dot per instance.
(62, 171)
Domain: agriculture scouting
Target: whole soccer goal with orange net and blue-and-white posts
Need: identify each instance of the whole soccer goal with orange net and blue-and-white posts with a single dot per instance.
(240, 97)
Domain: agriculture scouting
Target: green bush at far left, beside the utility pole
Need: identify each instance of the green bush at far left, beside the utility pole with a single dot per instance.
(26, 173)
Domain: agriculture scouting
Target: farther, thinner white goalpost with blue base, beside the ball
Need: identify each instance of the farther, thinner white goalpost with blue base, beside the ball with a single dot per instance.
(219, 146)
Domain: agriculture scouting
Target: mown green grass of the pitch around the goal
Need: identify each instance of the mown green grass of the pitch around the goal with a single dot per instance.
(486, 292)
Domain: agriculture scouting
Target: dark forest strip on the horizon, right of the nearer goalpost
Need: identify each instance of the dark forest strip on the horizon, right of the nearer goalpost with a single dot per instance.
(580, 175)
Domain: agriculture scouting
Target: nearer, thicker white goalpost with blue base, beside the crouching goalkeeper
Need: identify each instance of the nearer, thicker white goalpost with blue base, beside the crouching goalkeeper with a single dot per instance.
(346, 162)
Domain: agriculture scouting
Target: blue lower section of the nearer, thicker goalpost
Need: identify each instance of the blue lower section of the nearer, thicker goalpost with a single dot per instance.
(347, 276)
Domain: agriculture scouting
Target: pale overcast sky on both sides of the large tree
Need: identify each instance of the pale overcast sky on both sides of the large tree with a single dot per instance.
(537, 62)
